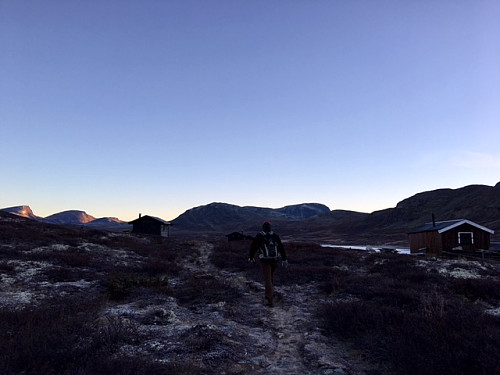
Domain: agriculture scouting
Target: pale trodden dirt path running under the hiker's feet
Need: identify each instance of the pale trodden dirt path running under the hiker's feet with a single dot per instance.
(284, 339)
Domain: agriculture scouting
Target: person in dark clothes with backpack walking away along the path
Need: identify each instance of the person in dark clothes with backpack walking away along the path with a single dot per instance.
(270, 249)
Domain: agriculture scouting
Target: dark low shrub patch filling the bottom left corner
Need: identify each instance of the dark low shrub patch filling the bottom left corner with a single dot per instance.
(67, 335)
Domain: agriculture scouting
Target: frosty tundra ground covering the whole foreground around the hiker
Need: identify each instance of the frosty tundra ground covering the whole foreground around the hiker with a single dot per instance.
(89, 302)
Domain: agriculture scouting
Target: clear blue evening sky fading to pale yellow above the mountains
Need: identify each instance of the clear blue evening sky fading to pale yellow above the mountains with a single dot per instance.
(154, 107)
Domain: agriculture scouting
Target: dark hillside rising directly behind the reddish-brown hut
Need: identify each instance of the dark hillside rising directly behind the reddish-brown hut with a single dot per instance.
(478, 203)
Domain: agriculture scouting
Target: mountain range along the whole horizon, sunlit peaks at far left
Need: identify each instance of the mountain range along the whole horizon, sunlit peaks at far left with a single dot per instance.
(314, 221)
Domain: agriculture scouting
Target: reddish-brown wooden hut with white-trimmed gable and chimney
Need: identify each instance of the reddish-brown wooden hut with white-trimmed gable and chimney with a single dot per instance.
(439, 236)
